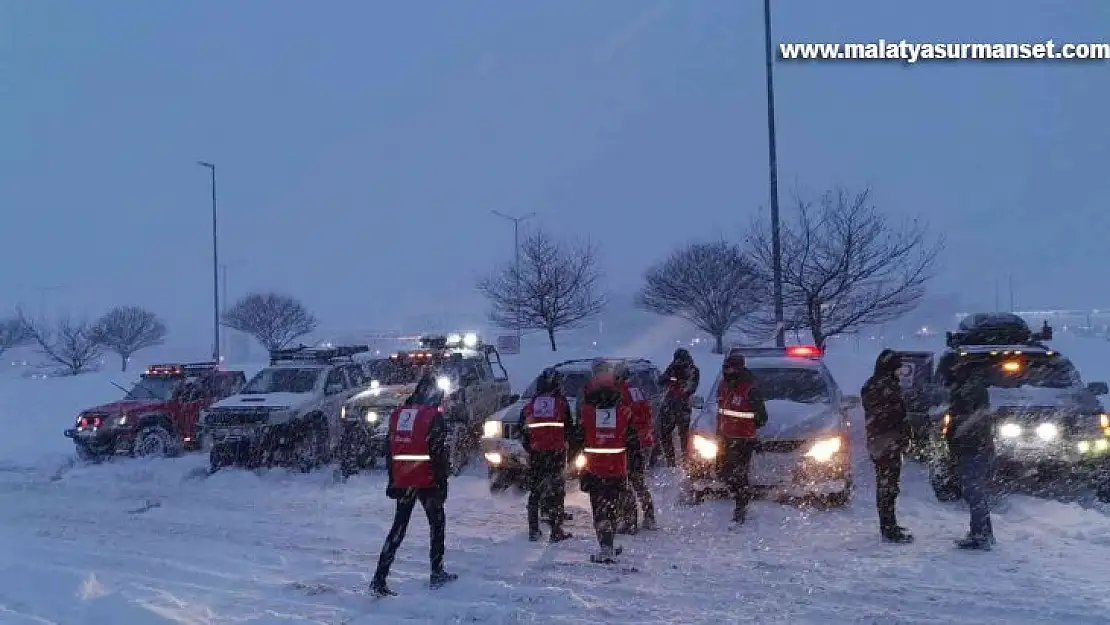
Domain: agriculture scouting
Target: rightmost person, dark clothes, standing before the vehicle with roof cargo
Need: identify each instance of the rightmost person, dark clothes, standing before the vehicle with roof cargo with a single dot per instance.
(972, 443)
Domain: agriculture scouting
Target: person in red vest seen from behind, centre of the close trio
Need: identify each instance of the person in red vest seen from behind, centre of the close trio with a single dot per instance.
(606, 419)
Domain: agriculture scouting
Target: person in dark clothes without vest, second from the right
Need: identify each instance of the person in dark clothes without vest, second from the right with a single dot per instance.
(887, 440)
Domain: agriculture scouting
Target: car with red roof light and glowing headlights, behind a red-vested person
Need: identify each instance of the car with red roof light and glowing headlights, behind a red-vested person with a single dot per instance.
(803, 452)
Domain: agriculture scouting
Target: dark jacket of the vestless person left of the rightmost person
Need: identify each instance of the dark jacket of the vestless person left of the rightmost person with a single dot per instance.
(885, 409)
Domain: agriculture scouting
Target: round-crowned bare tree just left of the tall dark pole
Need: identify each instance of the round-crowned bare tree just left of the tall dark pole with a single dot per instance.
(713, 286)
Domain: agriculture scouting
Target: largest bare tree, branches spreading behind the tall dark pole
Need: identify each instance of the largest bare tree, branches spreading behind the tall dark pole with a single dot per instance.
(845, 267)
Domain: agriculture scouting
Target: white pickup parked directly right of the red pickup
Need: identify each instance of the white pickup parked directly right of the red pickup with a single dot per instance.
(289, 414)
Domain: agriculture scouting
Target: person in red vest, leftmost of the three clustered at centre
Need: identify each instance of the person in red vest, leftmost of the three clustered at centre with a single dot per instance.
(547, 425)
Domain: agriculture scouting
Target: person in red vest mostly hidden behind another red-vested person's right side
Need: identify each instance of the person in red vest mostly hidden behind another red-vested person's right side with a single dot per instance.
(638, 460)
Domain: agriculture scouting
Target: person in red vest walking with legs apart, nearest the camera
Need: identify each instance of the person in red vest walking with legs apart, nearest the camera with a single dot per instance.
(419, 467)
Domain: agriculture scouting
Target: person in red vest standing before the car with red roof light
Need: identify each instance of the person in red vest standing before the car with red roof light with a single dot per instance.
(741, 412)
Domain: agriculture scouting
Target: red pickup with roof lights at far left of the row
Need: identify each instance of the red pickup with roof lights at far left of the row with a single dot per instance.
(158, 417)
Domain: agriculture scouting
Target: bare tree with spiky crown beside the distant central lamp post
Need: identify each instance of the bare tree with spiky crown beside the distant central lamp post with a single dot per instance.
(557, 287)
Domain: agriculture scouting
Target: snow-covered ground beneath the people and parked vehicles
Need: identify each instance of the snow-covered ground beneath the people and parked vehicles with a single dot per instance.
(142, 542)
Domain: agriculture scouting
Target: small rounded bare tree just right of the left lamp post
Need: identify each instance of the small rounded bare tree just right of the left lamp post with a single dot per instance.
(274, 319)
